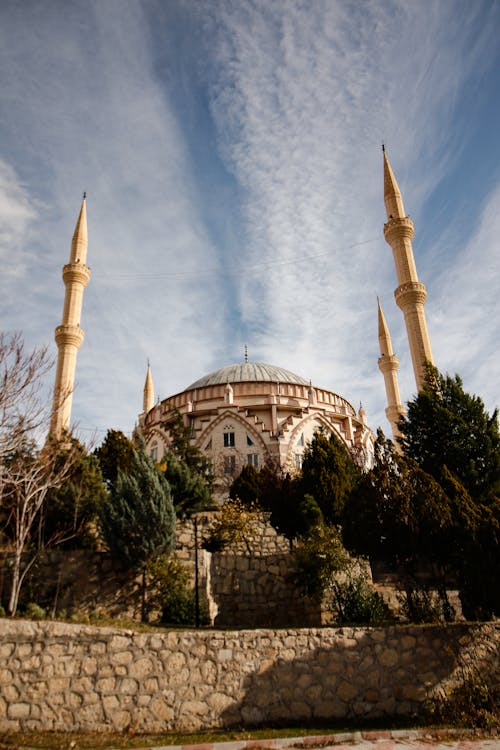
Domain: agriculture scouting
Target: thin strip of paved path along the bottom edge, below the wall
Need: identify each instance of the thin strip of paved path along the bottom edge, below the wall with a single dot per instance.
(401, 739)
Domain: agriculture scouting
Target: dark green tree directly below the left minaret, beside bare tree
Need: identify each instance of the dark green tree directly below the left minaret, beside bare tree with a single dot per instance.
(71, 510)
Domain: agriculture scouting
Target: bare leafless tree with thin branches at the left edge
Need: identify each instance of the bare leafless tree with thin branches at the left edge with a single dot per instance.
(27, 472)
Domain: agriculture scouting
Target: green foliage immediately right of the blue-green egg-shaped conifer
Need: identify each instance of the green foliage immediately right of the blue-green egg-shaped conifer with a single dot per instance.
(190, 490)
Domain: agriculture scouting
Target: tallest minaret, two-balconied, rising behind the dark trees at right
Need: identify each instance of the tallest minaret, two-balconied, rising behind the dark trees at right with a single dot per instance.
(411, 293)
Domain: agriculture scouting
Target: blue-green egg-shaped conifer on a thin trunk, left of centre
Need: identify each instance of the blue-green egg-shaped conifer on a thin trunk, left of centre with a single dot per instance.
(138, 521)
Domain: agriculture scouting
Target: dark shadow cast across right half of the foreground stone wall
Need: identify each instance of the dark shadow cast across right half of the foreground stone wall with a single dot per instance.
(363, 674)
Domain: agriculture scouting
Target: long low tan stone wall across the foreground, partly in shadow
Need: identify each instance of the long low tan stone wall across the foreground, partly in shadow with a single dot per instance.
(62, 677)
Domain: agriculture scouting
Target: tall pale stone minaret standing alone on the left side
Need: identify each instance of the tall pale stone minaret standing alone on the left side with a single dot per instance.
(69, 335)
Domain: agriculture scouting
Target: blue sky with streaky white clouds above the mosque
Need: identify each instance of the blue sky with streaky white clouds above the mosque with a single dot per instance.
(231, 152)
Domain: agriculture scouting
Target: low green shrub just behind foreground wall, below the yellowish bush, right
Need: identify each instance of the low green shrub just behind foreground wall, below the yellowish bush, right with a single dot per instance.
(357, 603)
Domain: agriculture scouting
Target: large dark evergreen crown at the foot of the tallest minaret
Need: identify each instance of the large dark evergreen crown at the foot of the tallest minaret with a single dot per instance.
(445, 426)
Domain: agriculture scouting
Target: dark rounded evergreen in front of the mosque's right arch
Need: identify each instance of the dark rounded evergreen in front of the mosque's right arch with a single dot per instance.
(329, 475)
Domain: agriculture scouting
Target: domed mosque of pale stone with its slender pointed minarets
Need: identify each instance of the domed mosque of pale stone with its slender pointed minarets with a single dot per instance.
(251, 412)
